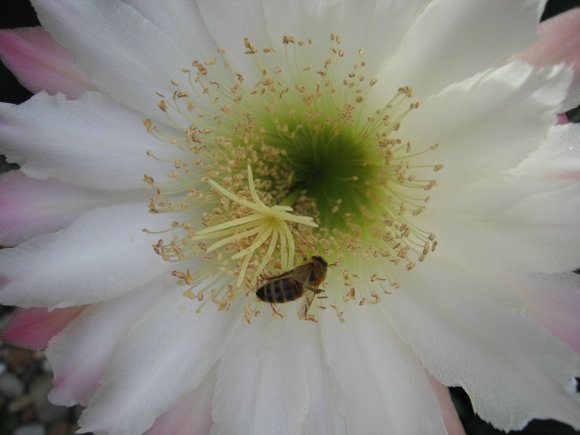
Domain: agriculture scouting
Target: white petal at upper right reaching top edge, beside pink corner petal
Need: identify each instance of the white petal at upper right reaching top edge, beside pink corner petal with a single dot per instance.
(452, 40)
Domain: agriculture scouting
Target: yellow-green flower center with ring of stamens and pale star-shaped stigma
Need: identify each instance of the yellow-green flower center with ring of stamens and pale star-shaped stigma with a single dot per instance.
(290, 163)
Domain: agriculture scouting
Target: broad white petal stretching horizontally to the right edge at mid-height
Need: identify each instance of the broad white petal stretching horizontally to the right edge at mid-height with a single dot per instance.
(511, 224)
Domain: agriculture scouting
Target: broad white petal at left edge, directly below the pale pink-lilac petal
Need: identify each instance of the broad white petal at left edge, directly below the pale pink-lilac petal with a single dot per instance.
(101, 255)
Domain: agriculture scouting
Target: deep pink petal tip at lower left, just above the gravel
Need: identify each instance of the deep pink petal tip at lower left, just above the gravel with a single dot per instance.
(34, 327)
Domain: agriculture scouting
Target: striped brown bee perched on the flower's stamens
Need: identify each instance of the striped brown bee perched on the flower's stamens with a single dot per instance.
(291, 285)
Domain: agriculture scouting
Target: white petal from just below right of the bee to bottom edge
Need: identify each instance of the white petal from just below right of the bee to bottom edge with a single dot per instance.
(379, 385)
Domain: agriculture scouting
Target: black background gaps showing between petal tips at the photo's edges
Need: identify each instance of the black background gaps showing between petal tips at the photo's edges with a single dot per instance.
(19, 13)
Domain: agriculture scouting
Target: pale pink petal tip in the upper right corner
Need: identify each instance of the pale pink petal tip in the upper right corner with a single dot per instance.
(559, 42)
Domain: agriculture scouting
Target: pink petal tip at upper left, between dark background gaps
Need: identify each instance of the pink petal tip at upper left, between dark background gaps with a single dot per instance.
(40, 63)
